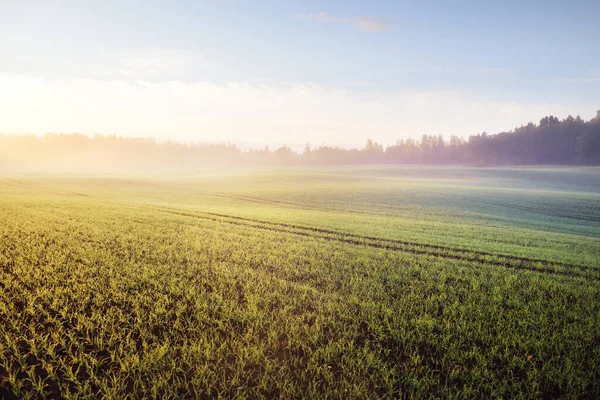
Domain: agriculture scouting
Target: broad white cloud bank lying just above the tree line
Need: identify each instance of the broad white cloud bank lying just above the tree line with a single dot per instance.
(255, 113)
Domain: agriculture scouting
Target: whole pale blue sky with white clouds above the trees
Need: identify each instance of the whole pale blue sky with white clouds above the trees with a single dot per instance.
(290, 72)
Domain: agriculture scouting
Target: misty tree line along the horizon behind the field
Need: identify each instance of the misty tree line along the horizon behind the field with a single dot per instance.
(571, 141)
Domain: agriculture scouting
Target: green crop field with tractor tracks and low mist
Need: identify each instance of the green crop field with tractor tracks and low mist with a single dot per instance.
(349, 282)
